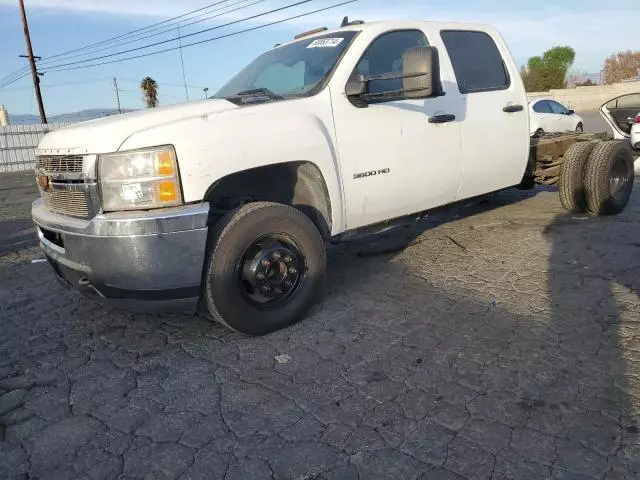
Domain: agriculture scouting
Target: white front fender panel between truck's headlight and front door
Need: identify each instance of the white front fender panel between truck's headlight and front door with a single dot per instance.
(211, 147)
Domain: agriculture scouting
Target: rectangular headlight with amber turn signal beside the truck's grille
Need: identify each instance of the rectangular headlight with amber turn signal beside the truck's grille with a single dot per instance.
(139, 179)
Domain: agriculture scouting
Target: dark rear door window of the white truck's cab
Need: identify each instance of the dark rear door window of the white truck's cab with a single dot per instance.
(477, 62)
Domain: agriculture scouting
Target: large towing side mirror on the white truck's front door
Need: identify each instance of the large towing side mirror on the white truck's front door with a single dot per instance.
(421, 72)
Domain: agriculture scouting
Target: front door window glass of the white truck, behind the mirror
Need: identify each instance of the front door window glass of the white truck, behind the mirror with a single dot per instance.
(384, 55)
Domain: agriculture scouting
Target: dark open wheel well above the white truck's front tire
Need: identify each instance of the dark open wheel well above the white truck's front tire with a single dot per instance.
(299, 184)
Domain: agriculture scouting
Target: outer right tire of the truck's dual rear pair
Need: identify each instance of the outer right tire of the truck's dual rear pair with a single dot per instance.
(609, 177)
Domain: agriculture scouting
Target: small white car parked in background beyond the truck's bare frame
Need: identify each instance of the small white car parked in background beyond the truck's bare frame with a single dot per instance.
(547, 115)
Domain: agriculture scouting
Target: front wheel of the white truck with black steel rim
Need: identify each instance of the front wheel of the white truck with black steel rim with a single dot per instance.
(265, 268)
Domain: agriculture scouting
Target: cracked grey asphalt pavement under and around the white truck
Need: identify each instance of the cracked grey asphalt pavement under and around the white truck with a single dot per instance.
(502, 342)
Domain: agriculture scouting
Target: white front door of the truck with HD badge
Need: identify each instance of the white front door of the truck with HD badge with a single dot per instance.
(394, 161)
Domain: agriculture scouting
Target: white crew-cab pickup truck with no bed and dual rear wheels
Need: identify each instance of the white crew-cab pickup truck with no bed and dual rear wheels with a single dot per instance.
(230, 201)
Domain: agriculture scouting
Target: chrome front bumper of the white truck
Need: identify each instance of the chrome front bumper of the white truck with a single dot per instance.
(150, 255)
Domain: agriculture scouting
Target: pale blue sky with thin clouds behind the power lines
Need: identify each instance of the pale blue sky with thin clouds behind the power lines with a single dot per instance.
(595, 29)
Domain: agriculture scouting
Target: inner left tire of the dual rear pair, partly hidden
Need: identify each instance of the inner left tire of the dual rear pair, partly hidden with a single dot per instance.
(571, 181)
